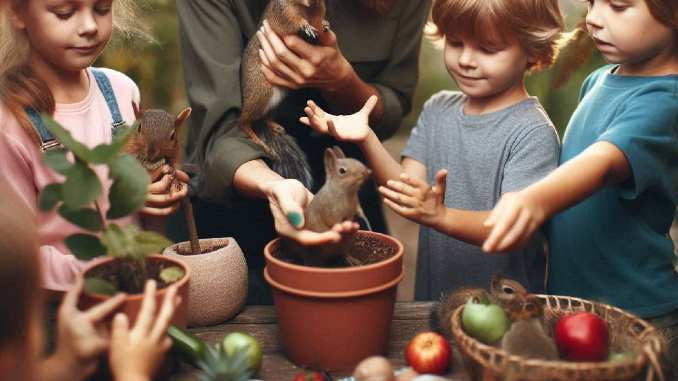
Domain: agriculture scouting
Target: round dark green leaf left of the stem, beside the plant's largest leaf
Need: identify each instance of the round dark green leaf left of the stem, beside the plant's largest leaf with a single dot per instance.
(82, 186)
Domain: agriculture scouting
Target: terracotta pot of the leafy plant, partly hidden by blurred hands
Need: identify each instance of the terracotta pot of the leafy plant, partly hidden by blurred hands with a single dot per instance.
(132, 303)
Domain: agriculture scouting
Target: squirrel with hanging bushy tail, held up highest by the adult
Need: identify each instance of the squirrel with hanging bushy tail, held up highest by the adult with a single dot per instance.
(259, 98)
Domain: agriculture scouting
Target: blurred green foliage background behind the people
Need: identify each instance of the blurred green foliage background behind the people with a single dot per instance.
(156, 67)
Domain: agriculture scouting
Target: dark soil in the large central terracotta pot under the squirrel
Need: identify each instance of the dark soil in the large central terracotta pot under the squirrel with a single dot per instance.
(366, 250)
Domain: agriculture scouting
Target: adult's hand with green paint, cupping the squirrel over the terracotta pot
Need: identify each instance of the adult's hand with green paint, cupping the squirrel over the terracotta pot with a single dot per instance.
(288, 199)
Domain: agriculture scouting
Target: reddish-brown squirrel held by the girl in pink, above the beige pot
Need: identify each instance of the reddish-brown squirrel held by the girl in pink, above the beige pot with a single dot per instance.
(156, 143)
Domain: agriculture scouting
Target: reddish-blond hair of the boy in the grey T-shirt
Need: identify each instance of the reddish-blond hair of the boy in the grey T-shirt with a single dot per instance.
(537, 25)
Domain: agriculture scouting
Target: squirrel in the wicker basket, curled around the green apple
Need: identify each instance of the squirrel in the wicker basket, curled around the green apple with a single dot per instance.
(526, 337)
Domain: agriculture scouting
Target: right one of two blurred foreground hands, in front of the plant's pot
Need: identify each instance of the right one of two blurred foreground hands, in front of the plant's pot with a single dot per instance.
(137, 353)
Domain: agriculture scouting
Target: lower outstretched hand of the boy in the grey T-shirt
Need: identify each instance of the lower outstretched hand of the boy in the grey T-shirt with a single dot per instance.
(417, 200)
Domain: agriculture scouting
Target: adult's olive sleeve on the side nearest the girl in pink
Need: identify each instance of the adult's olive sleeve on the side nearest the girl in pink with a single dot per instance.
(211, 47)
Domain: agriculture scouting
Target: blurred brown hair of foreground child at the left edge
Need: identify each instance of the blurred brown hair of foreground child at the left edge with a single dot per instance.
(19, 268)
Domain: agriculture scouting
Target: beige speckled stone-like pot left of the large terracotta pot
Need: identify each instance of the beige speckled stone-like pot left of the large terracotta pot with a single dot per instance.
(218, 286)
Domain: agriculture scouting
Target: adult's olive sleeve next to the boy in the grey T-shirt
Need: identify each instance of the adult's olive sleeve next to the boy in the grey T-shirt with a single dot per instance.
(398, 79)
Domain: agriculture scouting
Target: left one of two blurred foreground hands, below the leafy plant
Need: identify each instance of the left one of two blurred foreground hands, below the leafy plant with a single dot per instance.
(81, 335)
